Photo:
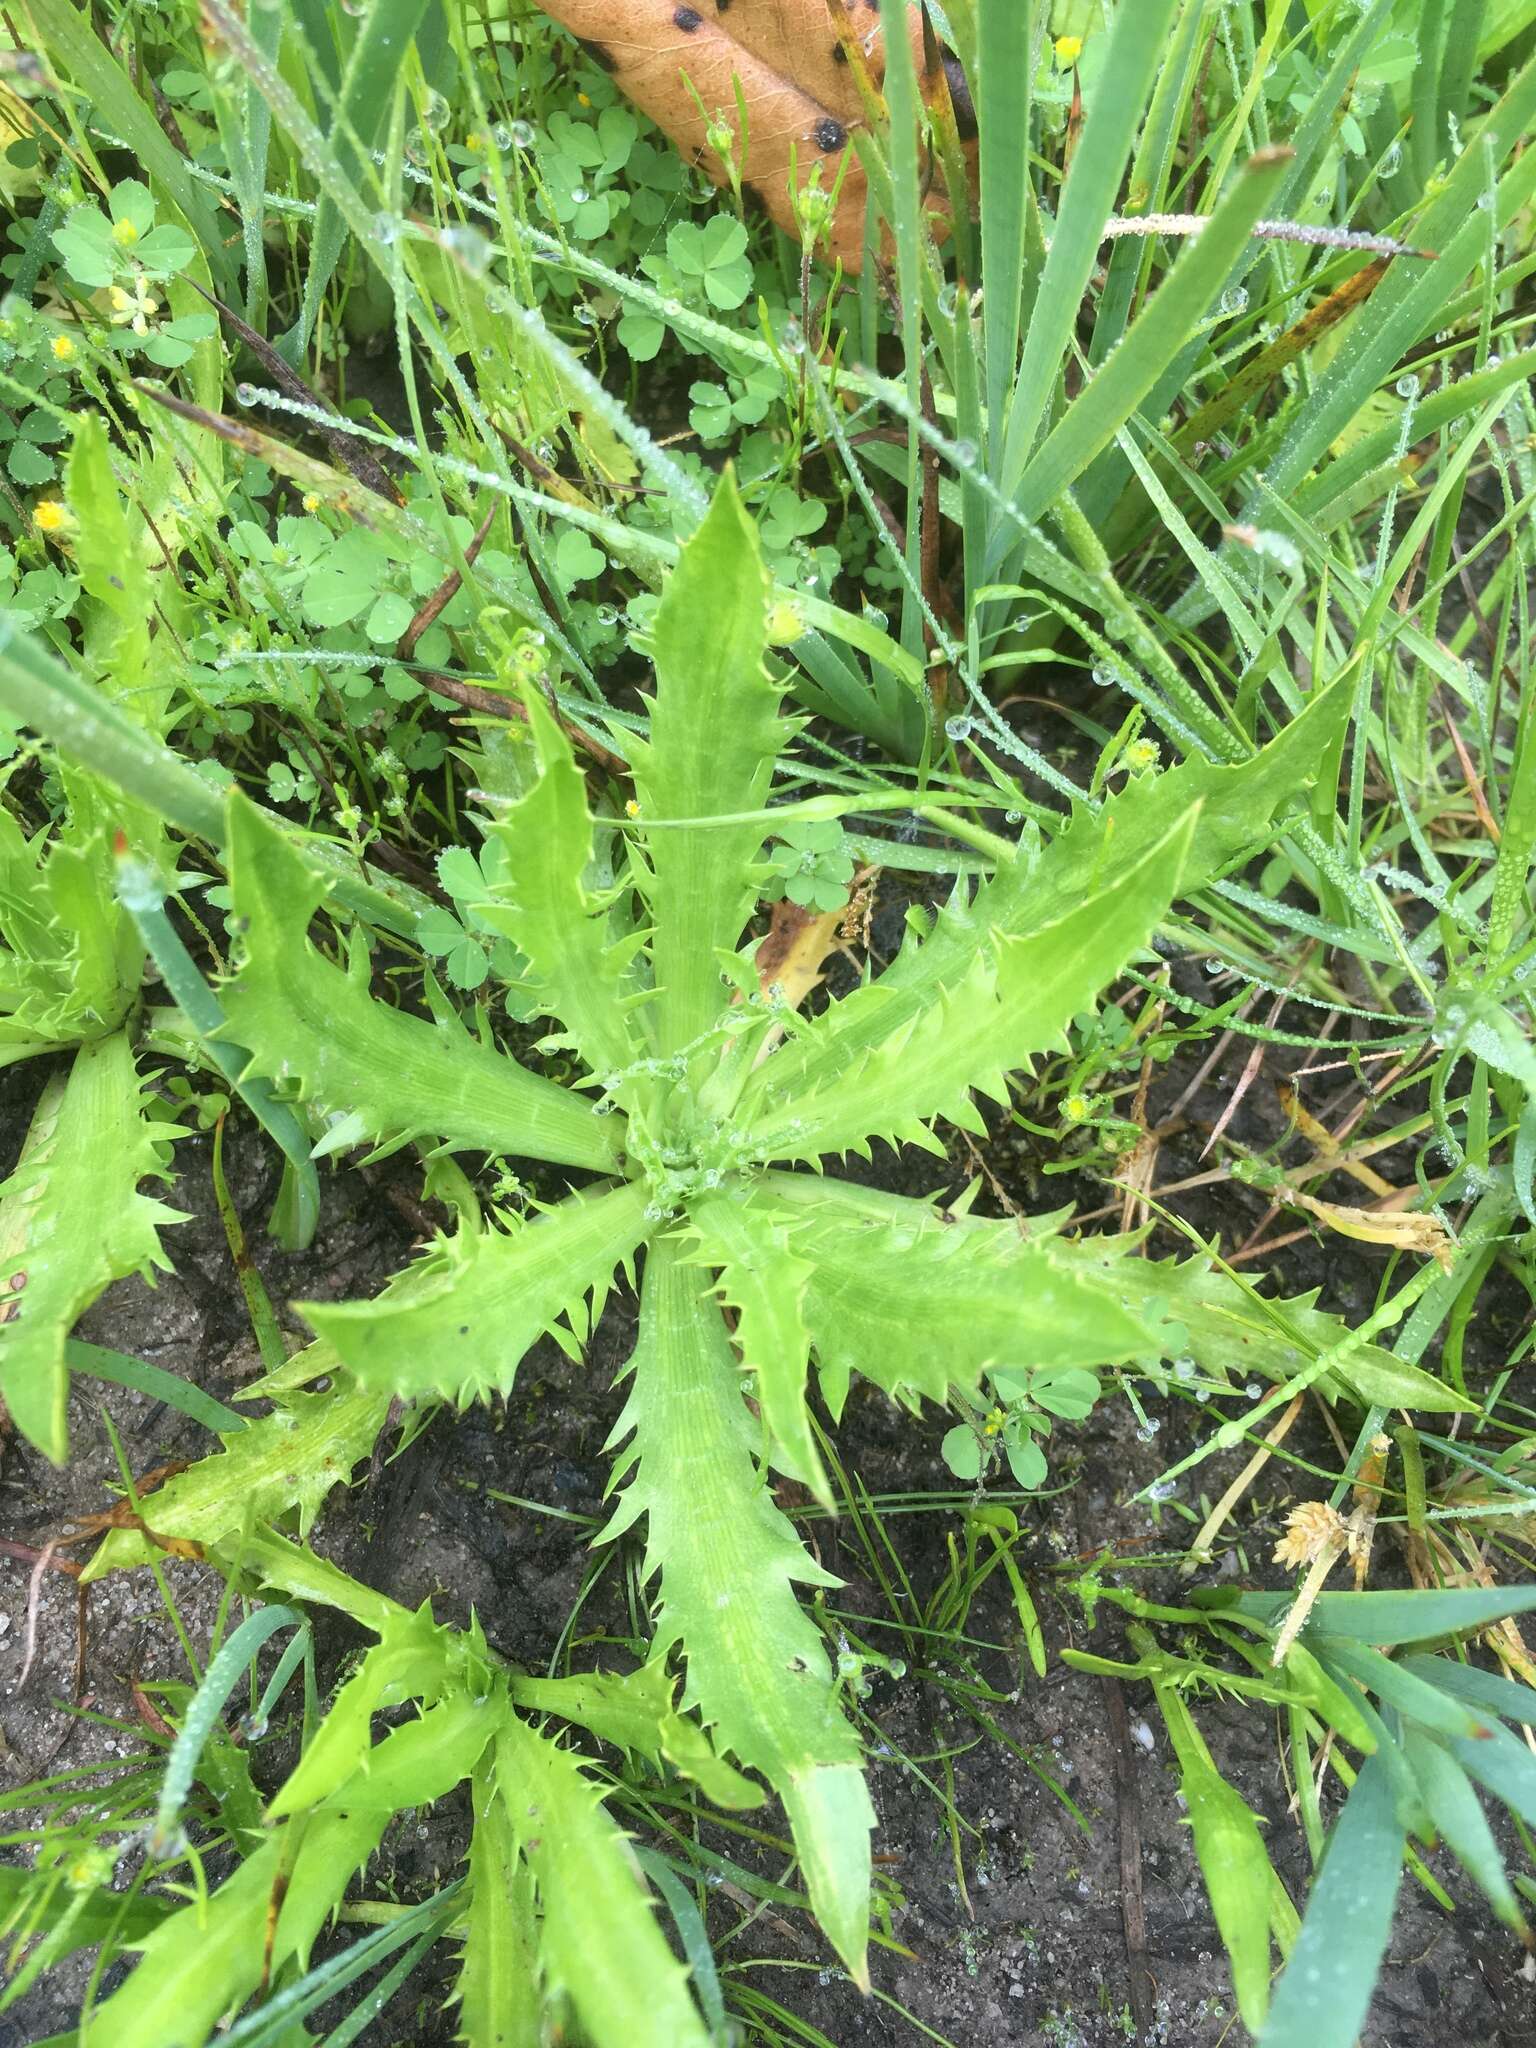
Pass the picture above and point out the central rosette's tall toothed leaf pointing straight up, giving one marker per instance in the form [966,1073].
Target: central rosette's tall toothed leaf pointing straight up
[716,734]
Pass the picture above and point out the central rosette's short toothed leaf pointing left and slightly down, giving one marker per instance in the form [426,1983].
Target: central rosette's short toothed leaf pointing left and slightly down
[486,1297]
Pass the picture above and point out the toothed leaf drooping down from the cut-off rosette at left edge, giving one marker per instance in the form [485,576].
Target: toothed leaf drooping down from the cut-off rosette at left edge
[71,1224]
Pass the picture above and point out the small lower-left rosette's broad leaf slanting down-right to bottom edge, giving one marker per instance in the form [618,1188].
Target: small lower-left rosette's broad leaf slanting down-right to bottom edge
[626,1986]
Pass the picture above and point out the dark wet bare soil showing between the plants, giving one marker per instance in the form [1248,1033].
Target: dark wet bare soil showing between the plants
[1066,1934]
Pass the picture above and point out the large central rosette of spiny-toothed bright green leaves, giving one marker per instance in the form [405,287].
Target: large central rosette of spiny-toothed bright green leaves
[689,1119]
